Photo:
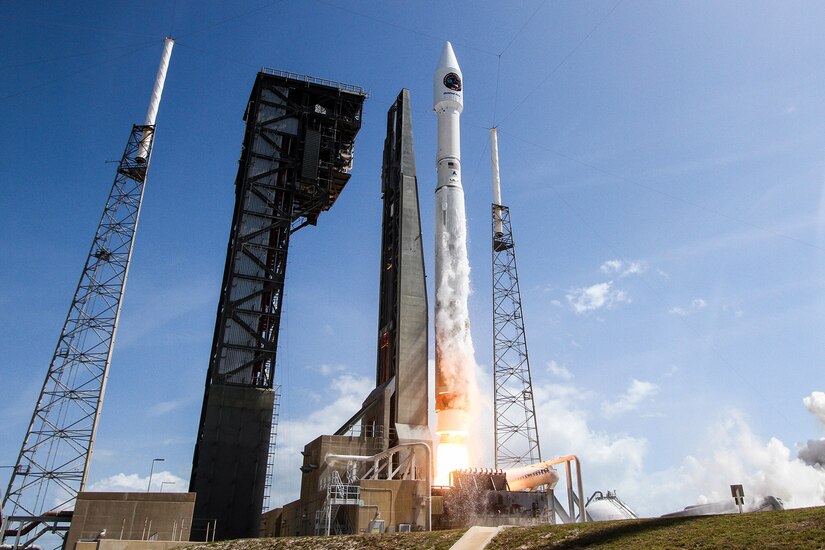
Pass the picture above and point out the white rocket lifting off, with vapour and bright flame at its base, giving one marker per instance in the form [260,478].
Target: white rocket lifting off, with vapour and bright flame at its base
[454,354]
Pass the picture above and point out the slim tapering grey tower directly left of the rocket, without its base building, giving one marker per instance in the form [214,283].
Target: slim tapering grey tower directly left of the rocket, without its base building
[401,376]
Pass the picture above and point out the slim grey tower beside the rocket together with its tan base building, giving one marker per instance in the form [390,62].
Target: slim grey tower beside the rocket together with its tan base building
[375,473]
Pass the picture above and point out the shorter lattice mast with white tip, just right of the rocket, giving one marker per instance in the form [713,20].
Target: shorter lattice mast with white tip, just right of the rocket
[516,433]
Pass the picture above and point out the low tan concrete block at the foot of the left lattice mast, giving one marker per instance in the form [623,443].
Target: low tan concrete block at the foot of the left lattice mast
[130,517]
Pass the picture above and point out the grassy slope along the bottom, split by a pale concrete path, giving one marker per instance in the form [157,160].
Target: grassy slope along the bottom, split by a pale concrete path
[803,528]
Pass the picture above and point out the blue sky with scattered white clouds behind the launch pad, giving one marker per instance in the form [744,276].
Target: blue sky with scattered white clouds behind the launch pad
[663,162]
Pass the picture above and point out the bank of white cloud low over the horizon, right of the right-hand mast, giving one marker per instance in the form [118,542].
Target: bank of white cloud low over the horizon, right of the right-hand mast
[730,453]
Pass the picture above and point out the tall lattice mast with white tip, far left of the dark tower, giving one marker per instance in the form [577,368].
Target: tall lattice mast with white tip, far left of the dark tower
[53,464]
